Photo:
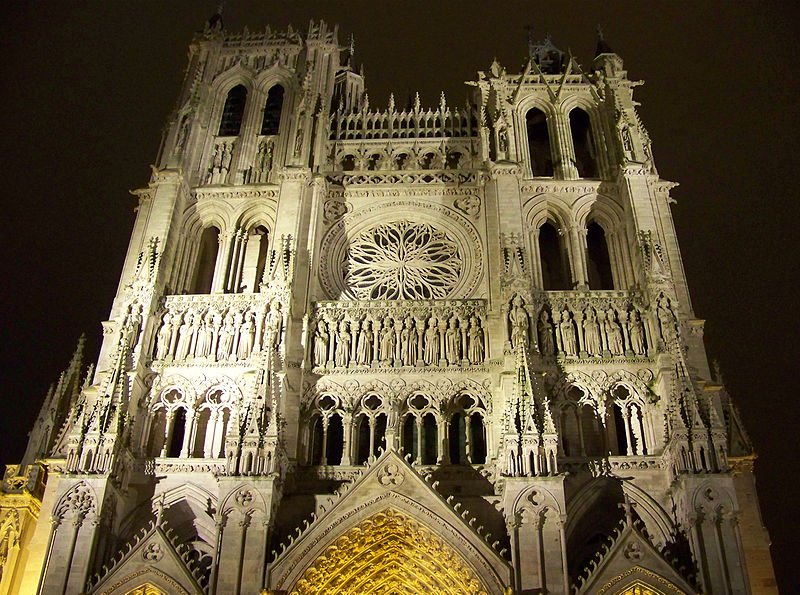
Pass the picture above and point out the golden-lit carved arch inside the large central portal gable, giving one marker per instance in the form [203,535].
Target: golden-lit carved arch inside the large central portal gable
[389,554]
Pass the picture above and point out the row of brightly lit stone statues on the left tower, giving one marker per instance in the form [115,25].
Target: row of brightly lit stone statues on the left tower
[217,333]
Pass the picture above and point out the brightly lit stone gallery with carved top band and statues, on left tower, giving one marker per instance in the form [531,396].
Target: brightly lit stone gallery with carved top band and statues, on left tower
[216,328]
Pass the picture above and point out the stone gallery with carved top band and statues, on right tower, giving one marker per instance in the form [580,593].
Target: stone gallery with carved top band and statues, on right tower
[591,324]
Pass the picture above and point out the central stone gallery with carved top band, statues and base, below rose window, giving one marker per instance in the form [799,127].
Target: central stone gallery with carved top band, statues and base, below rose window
[398,334]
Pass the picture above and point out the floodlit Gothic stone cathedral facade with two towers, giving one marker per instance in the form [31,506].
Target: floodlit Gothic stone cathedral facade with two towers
[398,349]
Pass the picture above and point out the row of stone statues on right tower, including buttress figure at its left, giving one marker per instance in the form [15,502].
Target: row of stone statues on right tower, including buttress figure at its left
[587,331]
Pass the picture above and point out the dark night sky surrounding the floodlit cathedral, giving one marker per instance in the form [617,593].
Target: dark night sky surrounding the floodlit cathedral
[87,87]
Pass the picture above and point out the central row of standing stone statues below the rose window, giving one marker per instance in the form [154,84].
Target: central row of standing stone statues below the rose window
[396,340]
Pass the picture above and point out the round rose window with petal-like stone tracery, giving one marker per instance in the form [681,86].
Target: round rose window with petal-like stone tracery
[402,261]
